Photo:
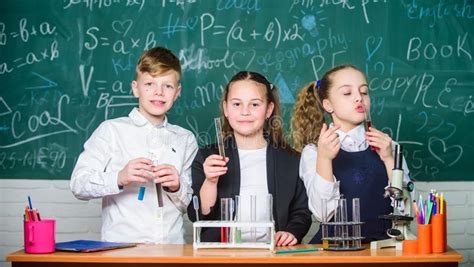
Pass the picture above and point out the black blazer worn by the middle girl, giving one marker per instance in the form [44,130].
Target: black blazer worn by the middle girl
[290,202]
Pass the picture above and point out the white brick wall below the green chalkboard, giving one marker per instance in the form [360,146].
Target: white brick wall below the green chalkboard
[77,219]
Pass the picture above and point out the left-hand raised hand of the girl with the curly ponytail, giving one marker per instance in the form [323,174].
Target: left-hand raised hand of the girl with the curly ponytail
[328,142]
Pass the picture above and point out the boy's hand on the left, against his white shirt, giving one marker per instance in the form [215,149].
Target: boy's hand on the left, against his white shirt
[136,171]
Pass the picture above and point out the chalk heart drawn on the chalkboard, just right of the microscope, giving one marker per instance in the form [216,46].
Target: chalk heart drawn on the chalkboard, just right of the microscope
[439,151]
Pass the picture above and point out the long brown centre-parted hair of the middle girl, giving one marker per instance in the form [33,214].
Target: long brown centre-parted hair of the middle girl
[273,129]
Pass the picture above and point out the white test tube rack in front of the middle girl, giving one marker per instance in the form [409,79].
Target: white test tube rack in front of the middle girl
[233,227]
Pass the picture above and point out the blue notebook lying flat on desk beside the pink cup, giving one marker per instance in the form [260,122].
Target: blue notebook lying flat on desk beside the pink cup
[90,245]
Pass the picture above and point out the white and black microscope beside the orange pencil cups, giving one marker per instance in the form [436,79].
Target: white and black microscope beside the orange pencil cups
[401,215]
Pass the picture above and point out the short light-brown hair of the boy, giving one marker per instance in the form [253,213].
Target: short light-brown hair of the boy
[157,61]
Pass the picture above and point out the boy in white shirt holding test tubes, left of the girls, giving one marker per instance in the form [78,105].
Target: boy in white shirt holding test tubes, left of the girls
[117,160]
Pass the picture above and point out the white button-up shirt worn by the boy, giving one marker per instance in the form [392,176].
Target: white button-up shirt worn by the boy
[124,218]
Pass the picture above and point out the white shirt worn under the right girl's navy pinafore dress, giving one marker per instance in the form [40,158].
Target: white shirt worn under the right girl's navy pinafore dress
[317,187]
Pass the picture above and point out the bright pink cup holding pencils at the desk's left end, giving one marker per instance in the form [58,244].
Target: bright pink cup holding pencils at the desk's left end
[39,236]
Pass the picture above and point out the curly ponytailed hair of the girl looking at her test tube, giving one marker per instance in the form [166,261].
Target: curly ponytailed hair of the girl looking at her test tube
[308,111]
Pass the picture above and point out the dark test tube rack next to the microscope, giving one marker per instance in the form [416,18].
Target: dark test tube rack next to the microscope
[347,243]
